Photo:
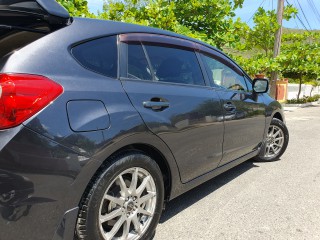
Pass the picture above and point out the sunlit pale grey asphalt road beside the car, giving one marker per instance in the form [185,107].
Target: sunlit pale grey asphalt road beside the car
[277,200]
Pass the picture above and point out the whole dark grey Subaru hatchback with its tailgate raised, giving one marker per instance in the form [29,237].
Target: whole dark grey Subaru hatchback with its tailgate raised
[102,123]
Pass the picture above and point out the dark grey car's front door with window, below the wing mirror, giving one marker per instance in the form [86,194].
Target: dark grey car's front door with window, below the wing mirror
[244,111]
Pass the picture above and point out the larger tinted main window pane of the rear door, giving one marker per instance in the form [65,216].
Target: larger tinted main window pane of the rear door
[175,65]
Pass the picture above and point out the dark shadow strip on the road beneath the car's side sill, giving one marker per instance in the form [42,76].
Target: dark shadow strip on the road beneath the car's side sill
[189,198]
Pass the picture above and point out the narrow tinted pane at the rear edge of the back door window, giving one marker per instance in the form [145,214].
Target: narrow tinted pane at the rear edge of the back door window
[138,67]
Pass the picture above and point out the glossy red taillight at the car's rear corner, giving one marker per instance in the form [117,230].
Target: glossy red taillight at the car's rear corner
[22,96]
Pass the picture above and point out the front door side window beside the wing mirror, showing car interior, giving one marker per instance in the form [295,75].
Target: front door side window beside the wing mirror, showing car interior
[223,76]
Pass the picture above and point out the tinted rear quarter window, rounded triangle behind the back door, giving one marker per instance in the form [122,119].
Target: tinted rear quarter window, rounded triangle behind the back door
[99,55]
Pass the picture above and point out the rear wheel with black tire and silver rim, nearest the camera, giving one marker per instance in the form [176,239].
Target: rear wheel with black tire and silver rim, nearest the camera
[115,206]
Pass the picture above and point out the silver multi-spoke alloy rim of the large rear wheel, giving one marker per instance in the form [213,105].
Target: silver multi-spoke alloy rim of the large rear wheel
[128,205]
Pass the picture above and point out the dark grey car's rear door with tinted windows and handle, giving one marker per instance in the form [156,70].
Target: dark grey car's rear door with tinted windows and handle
[164,82]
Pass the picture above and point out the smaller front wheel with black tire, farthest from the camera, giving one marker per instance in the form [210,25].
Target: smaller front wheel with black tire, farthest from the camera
[275,143]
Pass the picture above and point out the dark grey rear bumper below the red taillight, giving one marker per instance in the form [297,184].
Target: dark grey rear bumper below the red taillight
[38,186]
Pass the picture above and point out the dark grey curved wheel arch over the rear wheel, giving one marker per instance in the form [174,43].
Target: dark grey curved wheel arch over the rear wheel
[147,143]
